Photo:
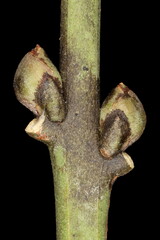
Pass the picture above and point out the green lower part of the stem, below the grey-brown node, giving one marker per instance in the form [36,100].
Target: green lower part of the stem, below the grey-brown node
[76,219]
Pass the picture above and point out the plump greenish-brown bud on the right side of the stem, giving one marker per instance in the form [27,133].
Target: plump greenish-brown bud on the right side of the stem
[122,121]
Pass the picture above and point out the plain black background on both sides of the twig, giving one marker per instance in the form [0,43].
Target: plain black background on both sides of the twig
[129,53]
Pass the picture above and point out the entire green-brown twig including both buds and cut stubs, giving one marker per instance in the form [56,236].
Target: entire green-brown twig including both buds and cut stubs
[86,143]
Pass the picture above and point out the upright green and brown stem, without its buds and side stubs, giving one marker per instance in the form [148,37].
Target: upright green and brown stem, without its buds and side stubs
[80,39]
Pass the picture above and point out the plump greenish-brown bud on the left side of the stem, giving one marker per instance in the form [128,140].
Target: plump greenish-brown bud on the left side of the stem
[38,85]
